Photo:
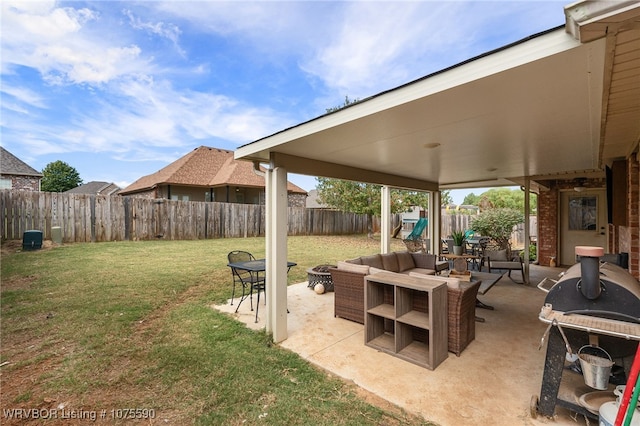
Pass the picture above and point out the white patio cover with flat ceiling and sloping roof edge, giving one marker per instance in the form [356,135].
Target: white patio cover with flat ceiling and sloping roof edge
[548,107]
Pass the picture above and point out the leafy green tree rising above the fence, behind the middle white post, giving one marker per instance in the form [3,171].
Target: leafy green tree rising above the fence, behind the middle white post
[364,198]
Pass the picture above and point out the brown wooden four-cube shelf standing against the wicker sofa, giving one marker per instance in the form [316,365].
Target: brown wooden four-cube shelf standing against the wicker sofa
[407,317]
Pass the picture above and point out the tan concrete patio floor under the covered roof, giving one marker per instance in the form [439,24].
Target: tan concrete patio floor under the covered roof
[492,382]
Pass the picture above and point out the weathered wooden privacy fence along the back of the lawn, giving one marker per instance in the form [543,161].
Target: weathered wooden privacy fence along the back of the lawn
[96,218]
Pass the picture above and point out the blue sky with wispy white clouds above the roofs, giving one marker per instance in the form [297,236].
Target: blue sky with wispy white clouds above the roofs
[119,90]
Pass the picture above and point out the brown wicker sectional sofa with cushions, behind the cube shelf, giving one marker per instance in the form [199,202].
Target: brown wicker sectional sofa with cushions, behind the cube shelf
[348,284]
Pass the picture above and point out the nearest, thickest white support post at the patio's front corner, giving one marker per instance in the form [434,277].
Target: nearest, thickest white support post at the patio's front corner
[276,211]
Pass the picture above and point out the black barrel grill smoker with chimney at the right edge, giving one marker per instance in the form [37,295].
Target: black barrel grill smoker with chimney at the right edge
[593,303]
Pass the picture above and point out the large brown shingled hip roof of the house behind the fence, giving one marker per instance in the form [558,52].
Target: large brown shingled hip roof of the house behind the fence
[205,167]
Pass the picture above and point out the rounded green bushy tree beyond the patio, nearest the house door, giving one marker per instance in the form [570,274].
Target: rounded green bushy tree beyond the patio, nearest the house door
[498,225]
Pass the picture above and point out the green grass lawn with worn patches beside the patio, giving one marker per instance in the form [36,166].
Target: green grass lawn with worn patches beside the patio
[123,325]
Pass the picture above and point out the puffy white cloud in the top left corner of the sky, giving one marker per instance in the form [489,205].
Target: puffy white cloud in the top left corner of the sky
[58,42]
